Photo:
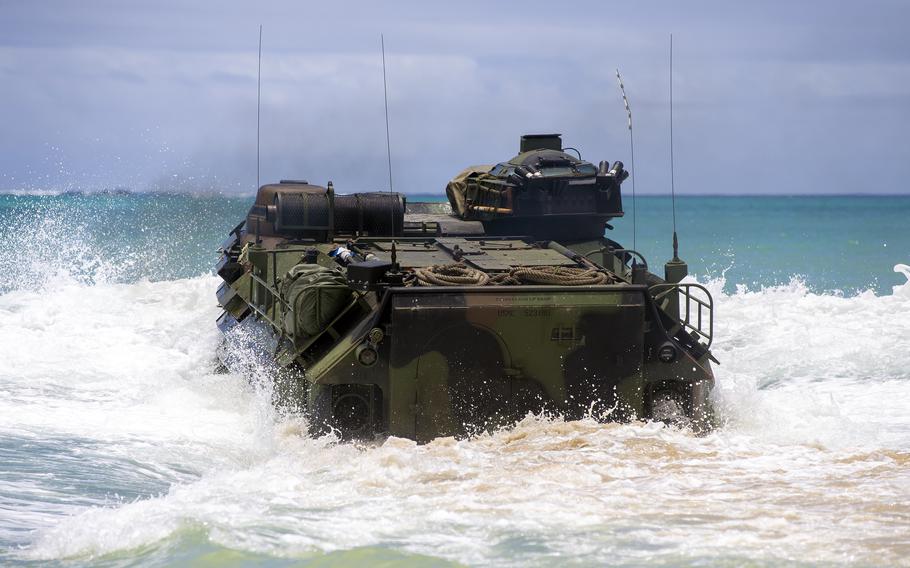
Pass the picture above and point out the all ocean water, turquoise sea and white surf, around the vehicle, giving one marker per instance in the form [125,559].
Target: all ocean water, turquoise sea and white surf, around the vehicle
[120,446]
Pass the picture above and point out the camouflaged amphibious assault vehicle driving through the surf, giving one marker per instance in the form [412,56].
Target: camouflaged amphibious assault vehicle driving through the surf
[421,320]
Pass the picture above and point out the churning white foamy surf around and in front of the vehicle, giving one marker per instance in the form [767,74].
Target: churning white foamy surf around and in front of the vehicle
[122,440]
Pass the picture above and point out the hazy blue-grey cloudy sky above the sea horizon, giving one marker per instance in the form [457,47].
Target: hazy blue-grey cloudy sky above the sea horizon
[769,97]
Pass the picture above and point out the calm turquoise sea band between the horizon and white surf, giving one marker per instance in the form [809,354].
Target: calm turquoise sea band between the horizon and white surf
[831,244]
